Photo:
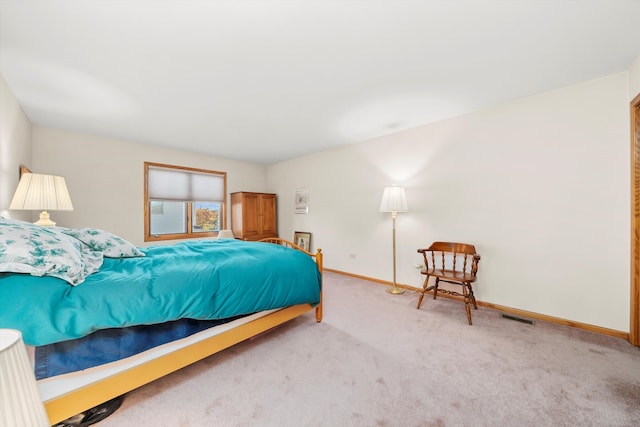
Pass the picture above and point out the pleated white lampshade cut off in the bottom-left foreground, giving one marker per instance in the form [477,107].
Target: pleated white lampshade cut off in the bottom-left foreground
[20,401]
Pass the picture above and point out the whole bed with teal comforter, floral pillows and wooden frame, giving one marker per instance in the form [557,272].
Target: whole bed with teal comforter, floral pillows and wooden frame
[69,291]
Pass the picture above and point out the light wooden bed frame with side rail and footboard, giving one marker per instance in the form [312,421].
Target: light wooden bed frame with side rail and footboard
[67,405]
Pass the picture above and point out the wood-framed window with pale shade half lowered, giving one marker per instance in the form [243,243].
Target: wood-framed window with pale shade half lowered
[183,203]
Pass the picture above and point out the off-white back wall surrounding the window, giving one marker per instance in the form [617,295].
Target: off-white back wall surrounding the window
[105,177]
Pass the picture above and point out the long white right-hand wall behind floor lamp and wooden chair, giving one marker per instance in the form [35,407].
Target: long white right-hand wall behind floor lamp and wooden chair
[540,186]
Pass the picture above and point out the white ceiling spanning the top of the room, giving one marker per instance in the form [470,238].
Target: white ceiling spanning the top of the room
[265,81]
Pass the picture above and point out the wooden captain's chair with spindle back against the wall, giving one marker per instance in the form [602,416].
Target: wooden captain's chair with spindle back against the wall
[450,262]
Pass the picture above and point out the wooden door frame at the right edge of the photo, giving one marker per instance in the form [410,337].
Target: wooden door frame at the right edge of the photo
[634,327]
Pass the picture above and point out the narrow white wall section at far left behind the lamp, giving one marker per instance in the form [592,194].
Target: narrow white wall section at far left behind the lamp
[15,148]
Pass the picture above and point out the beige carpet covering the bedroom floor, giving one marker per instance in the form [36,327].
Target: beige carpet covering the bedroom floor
[377,361]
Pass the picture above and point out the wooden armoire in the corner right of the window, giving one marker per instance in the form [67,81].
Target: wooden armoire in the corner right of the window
[253,215]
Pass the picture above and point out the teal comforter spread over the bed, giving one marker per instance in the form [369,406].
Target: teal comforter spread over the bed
[202,280]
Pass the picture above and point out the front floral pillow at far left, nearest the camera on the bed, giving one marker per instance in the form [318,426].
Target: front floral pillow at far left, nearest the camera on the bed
[45,251]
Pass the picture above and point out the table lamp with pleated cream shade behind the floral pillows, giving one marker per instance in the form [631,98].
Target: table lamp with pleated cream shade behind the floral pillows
[41,192]
